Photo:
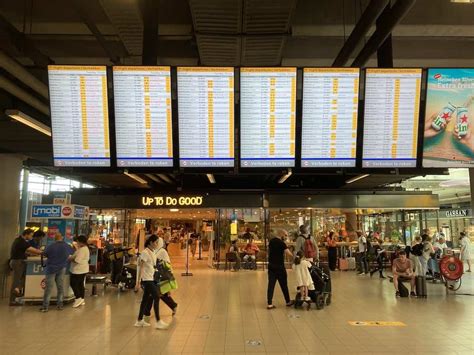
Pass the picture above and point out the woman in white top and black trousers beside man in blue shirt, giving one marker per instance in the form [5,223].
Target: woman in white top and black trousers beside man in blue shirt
[79,269]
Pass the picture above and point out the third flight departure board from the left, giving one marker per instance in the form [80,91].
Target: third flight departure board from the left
[206,116]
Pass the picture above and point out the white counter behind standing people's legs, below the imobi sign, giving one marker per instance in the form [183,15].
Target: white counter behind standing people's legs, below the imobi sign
[35,282]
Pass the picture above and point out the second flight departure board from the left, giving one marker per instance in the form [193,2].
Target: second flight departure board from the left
[143,126]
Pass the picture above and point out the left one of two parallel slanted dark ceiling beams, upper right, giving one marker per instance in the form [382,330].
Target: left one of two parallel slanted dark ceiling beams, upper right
[367,19]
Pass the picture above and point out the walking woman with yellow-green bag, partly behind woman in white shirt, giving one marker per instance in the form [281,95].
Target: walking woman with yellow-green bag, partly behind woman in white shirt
[167,281]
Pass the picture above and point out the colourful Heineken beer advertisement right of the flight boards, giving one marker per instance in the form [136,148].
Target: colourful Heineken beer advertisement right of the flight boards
[449,140]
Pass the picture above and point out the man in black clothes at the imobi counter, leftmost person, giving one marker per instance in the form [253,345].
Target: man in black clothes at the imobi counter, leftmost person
[18,253]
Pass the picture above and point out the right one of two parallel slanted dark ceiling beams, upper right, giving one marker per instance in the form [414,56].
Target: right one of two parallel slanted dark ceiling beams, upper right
[396,14]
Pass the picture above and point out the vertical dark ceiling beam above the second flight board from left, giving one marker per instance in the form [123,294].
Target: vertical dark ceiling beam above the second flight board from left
[150,11]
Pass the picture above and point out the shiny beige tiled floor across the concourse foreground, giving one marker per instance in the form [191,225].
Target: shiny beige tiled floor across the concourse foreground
[235,306]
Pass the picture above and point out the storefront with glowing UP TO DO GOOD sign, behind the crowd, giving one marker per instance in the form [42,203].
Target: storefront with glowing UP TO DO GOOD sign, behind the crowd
[220,218]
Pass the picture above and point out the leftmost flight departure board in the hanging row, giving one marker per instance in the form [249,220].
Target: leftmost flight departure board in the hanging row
[79,115]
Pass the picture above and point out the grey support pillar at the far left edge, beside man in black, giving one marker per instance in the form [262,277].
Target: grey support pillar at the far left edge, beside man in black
[10,169]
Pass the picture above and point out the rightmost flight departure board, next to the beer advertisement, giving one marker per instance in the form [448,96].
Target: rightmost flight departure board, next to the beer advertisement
[391,114]
